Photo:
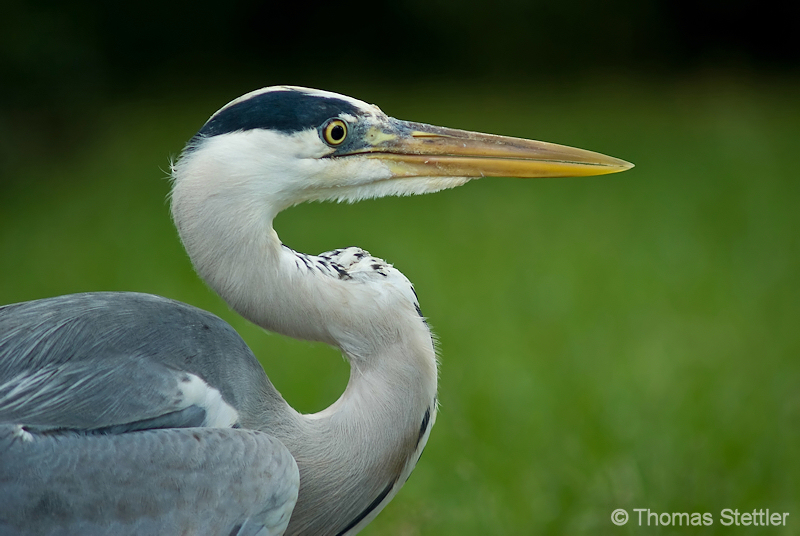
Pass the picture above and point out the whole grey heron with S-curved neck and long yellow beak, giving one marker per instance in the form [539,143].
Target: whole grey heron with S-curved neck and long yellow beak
[127,413]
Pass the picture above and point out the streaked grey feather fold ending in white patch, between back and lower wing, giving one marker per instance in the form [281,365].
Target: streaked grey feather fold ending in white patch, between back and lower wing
[112,394]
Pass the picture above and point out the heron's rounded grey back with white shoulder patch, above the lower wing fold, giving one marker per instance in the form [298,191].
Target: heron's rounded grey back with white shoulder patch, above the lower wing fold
[92,361]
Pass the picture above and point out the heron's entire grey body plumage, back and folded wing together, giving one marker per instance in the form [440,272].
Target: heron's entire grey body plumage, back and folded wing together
[101,400]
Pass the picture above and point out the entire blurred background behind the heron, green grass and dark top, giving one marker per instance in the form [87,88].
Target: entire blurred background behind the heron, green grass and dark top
[627,341]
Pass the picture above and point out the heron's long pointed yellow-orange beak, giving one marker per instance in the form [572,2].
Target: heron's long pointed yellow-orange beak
[420,150]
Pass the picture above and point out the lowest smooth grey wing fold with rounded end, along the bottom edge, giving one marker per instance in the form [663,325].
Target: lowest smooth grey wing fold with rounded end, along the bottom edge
[203,481]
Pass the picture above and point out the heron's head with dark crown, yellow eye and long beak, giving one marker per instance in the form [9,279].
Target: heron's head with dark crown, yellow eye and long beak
[293,144]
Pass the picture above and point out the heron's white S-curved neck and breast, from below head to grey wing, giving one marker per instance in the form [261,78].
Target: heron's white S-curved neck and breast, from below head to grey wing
[356,454]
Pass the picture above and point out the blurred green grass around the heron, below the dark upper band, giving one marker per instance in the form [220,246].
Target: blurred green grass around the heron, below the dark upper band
[623,341]
